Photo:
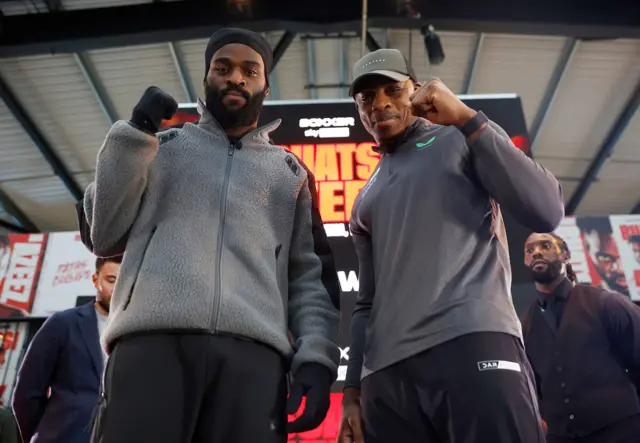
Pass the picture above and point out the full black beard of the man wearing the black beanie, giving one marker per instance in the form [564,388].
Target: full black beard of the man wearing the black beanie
[230,118]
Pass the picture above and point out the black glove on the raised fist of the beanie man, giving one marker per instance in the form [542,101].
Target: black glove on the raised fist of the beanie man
[154,106]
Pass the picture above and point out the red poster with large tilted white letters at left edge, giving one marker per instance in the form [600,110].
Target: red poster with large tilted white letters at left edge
[20,263]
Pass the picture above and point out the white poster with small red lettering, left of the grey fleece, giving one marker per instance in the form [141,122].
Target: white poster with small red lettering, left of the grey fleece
[66,274]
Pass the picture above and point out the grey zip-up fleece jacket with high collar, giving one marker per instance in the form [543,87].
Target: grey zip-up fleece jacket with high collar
[218,239]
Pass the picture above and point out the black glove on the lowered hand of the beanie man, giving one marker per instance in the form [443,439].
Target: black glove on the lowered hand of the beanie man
[313,381]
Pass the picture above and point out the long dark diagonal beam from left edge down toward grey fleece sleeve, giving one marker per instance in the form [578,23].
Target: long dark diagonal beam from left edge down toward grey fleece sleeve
[38,139]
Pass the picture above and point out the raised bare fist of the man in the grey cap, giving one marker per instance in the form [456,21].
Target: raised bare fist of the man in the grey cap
[438,104]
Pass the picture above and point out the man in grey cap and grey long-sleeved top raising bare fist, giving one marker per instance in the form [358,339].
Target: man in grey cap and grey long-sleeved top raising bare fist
[436,347]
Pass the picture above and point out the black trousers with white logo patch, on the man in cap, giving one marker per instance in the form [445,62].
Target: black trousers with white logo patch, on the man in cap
[477,388]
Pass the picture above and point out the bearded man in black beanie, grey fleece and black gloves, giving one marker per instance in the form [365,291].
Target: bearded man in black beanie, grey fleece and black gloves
[227,285]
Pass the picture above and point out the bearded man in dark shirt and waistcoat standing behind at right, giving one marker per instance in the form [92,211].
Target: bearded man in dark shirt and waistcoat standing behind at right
[584,345]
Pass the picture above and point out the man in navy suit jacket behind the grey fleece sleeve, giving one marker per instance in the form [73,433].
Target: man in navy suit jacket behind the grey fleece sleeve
[59,381]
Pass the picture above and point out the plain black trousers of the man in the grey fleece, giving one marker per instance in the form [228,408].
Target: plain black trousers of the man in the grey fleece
[187,388]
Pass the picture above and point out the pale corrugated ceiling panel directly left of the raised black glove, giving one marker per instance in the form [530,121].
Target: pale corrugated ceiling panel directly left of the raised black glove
[58,99]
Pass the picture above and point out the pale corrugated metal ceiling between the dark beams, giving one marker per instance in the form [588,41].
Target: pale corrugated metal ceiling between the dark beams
[53,90]
